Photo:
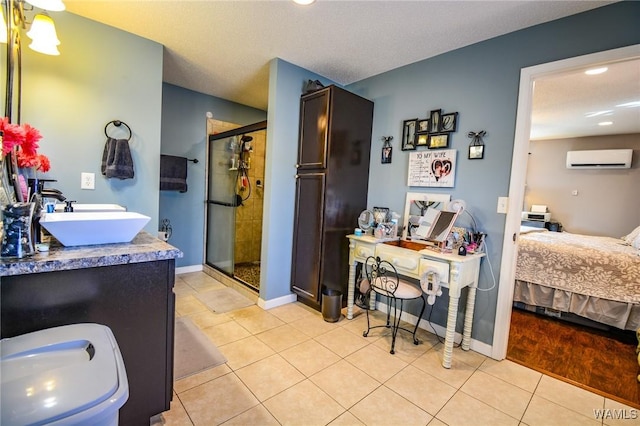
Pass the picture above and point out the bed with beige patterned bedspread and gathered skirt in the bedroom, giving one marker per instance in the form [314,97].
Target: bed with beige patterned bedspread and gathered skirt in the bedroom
[593,277]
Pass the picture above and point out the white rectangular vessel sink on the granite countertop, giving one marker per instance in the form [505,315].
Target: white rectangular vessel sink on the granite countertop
[86,228]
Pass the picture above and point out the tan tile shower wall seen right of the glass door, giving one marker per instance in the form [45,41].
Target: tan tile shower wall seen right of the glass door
[249,216]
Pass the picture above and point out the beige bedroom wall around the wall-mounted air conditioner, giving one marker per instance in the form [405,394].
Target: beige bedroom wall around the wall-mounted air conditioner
[607,202]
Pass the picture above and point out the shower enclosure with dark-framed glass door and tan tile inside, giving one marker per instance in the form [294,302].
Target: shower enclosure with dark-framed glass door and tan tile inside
[235,185]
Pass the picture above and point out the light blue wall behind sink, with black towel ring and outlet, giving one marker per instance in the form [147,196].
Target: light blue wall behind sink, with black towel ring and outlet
[102,74]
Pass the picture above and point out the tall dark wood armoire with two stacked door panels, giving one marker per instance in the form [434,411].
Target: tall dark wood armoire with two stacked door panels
[331,189]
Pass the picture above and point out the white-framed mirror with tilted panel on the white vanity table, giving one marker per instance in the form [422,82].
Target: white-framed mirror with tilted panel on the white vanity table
[426,219]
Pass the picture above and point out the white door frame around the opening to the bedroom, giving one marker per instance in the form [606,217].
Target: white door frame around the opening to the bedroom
[518,178]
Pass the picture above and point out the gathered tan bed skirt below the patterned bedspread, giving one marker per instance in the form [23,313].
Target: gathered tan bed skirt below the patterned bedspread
[625,316]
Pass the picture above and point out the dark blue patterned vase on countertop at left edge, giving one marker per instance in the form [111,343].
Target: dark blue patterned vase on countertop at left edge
[17,238]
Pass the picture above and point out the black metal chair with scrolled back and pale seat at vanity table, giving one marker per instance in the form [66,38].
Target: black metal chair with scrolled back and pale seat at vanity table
[382,277]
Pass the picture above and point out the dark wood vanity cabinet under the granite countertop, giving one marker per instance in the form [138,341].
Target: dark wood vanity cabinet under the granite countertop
[135,301]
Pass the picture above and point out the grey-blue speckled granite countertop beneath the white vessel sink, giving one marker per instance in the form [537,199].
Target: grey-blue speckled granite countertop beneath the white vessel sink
[143,248]
